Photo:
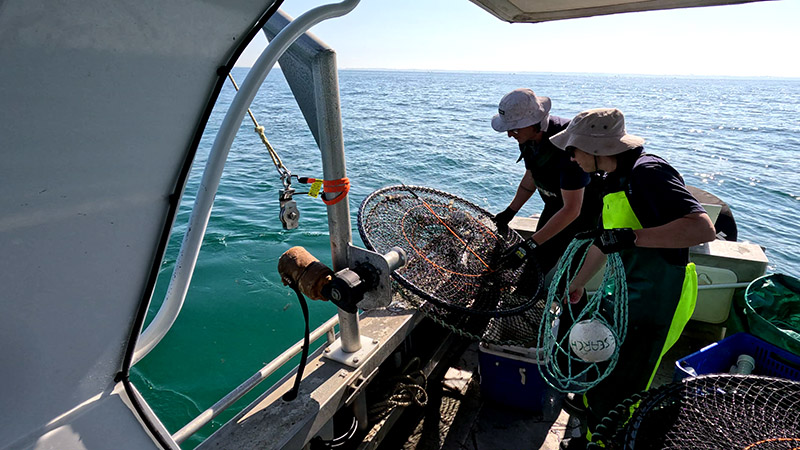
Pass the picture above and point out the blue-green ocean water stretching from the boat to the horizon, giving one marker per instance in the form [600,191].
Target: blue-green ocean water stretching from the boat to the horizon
[736,138]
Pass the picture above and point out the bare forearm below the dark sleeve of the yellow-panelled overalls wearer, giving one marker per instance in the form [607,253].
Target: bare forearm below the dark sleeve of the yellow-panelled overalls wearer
[689,230]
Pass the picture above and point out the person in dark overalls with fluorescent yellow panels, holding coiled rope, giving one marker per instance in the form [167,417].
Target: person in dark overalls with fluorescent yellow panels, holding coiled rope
[651,219]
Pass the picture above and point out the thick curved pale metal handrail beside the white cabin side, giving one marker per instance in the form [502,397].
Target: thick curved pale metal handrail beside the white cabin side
[201,212]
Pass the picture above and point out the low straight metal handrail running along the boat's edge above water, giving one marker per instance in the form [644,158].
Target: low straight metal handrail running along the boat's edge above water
[209,414]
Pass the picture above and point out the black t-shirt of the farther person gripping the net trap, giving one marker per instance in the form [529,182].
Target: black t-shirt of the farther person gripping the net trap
[550,166]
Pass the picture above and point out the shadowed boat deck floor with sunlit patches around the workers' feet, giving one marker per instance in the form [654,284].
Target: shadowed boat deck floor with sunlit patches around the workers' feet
[466,421]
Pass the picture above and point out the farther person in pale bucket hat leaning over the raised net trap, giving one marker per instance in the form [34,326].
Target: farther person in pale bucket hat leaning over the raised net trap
[570,205]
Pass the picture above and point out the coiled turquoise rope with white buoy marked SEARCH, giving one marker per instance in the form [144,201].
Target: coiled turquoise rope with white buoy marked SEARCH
[578,358]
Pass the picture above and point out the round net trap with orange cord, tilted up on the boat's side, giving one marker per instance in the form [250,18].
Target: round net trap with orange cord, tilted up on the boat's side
[456,262]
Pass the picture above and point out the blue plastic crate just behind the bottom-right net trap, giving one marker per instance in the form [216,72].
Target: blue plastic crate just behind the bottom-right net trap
[720,356]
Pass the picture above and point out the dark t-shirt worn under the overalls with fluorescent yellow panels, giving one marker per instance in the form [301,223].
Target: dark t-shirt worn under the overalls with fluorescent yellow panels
[657,194]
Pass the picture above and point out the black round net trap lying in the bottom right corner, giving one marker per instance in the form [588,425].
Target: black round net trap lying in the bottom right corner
[710,412]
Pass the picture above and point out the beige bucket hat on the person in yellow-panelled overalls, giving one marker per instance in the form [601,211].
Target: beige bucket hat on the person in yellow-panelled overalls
[598,132]
